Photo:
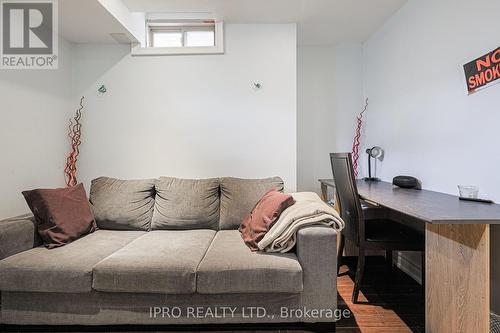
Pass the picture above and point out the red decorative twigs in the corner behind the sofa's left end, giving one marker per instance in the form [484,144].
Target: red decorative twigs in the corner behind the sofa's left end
[74,134]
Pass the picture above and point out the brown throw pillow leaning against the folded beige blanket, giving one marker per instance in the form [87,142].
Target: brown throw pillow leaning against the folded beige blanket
[265,213]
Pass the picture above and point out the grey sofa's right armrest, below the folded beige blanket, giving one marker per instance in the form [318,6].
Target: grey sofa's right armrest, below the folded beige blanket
[317,254]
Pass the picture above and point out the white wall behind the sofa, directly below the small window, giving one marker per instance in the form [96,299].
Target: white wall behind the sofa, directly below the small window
[192,116]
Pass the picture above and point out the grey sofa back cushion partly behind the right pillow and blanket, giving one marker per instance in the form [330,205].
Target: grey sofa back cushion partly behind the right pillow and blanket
[239,197]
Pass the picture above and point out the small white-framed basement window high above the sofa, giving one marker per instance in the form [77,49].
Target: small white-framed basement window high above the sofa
[182,37]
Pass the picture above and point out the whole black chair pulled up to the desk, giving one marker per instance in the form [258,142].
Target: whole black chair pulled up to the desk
[365,231]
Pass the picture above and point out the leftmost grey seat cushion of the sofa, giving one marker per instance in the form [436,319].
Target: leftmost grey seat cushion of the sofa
[66,269]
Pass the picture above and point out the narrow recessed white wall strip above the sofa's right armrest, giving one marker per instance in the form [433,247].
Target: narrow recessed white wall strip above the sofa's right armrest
[315,114]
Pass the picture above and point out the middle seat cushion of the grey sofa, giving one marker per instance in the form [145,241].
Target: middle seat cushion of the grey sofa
[163,261]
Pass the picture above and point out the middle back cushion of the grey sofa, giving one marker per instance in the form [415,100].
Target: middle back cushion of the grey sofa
[186,204]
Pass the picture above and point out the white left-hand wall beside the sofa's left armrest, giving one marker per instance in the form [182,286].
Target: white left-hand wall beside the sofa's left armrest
[35,107]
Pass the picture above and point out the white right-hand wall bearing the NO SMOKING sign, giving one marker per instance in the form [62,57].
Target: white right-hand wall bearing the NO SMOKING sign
[420,112]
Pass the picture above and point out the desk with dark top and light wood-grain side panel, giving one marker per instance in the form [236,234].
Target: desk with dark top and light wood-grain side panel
[457,237]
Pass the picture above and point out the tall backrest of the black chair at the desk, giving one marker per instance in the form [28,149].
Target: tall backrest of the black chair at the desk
[347,192]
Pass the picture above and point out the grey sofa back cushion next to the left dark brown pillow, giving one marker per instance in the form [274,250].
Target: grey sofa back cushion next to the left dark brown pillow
[122,204]
